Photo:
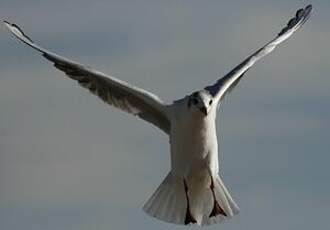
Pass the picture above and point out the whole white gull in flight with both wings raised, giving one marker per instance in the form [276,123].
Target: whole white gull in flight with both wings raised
[192,192]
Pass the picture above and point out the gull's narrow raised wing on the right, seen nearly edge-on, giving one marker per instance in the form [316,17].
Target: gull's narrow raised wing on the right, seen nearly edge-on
[229,81]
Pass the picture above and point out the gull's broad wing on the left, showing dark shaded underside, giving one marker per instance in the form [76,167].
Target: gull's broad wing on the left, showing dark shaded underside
[111,90]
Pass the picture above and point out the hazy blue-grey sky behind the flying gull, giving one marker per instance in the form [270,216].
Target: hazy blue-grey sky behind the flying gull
[68,161]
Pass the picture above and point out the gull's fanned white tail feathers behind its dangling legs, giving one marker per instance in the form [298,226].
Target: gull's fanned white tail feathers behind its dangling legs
[169,202]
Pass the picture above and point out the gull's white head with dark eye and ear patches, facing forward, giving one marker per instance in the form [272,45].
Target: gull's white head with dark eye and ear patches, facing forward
[200,101]
